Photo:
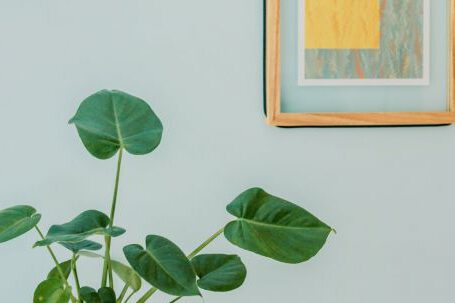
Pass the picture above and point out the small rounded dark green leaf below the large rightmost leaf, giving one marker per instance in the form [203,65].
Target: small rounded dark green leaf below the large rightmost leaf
[219,272]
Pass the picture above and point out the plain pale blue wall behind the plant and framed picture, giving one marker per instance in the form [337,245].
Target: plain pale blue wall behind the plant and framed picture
[388,191]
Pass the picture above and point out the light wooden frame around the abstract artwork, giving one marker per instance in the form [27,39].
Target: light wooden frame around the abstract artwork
[272,83]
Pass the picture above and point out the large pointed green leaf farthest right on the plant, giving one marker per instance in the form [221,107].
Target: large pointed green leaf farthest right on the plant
[275,228]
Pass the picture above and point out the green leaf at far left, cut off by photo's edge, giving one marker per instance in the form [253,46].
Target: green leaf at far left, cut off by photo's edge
[16,221]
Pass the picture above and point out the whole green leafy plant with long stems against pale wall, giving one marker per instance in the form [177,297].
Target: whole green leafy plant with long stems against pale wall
[110,123]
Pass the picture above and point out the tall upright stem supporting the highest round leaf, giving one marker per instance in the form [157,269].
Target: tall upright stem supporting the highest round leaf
[107,257]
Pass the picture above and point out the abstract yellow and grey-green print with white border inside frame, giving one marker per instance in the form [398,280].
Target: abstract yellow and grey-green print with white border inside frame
[364,42]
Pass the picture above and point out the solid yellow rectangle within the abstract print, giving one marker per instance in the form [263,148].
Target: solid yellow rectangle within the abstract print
[342,24]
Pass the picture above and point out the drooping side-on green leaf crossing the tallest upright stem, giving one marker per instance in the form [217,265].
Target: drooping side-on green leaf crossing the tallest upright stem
[91,222]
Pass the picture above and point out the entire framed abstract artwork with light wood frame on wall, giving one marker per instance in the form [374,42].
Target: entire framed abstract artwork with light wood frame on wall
[359,62]
